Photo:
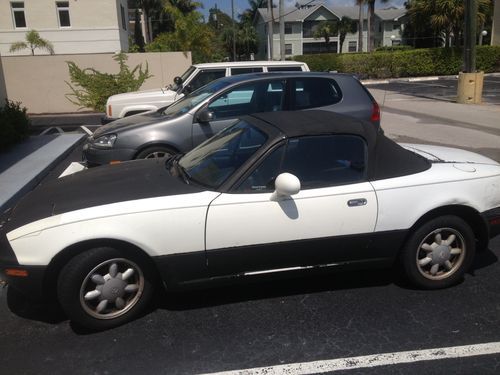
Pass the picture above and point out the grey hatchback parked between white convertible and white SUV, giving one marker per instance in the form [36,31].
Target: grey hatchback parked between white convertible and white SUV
[204,112]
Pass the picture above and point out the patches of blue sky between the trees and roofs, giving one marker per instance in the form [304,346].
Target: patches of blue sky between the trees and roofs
[241,5]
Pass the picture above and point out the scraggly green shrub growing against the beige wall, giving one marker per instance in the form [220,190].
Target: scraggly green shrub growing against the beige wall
[91,88]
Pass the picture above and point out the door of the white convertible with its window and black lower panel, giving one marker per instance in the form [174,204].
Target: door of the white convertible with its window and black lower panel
[330,220]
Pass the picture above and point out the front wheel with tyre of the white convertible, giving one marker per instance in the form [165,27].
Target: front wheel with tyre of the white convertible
[103,288]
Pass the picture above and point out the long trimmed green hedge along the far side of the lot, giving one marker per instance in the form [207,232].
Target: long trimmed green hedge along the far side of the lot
[403,63]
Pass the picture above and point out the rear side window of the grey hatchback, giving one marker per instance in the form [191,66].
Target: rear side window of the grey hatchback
[314,92]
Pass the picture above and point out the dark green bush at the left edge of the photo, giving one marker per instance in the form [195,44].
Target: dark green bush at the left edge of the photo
[14,124]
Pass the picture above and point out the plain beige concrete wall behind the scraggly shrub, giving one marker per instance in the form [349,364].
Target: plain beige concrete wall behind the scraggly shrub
[39,82]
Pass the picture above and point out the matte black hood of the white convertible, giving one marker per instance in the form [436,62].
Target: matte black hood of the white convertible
[126,181]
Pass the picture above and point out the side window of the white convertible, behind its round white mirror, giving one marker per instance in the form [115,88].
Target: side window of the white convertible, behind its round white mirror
[318,161]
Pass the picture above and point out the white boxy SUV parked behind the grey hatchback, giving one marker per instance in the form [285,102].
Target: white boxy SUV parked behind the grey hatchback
[198,75]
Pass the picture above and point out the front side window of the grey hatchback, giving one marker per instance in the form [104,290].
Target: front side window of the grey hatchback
[260,96]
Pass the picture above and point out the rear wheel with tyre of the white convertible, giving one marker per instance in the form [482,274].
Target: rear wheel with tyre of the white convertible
[438,253]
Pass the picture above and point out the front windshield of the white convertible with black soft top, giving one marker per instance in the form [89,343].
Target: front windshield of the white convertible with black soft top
[212,162]
